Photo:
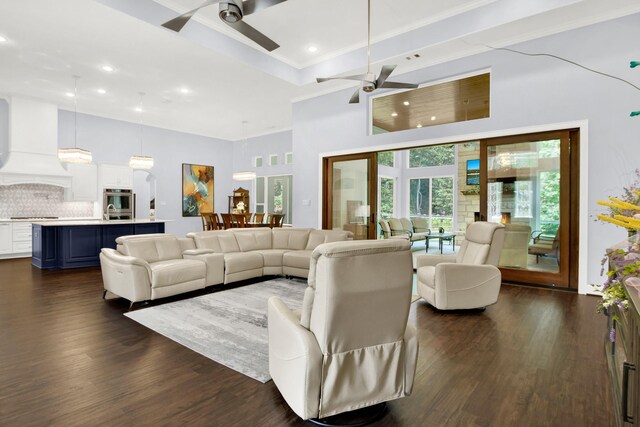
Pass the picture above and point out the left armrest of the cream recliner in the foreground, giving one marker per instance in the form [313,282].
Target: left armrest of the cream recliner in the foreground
[295,360]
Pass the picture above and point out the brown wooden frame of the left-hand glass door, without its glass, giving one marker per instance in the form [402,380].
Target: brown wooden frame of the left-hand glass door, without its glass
[327,188]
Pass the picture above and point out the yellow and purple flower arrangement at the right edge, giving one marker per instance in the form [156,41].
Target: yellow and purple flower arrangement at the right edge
[623,263]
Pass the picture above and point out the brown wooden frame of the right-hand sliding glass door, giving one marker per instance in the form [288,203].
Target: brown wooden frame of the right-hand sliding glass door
[568,235]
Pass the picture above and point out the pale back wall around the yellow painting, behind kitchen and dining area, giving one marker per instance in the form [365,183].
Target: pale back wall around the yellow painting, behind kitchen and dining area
[114,141]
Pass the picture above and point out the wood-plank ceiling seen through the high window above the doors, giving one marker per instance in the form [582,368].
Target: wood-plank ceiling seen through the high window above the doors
[455,101]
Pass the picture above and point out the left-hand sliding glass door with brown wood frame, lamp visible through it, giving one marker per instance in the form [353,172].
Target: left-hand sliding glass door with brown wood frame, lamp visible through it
[350,194]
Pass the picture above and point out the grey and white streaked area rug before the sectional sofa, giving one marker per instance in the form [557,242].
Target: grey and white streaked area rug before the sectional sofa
[229,326]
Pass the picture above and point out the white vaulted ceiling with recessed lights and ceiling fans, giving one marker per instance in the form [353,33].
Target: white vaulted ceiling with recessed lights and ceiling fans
[229,78]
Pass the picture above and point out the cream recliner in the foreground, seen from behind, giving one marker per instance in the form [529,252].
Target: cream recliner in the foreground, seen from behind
[351,347]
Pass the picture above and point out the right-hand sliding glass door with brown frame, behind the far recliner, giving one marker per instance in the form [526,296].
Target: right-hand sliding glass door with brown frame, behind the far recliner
[526,185]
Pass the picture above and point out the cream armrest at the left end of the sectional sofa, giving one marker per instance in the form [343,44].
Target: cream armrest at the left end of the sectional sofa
[126,276]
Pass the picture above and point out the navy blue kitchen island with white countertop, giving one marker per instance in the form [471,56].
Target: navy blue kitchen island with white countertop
[72,244]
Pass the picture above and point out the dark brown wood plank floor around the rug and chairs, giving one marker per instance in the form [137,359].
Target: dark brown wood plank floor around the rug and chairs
[69,358]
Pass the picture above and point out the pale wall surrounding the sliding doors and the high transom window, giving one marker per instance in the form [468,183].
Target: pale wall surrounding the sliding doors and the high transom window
[526,92]
